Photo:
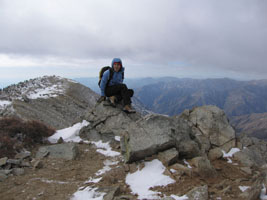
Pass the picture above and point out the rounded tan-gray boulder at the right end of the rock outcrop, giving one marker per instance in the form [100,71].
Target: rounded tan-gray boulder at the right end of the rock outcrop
[213,128]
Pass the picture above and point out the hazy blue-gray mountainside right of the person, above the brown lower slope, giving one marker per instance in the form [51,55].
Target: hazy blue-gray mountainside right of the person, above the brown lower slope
[235,97]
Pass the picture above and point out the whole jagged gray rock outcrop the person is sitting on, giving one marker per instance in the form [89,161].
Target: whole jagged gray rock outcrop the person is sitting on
[192,135]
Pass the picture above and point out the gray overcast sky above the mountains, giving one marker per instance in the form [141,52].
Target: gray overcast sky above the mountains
[182,38]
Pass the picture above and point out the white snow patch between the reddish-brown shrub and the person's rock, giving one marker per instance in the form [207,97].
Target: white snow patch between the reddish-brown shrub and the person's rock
[70,134]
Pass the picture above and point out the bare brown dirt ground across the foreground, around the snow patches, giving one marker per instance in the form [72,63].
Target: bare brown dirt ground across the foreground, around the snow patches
[60,179]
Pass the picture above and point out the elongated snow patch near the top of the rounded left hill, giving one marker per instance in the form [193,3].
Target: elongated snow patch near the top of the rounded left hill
[47,92]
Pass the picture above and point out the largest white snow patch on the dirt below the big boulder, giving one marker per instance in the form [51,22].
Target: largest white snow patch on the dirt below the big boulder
[150,176]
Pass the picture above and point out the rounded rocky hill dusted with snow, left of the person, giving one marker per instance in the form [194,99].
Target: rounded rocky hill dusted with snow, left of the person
[55,101]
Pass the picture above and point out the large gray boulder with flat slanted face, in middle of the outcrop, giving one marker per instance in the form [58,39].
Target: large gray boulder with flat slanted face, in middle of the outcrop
[148,136]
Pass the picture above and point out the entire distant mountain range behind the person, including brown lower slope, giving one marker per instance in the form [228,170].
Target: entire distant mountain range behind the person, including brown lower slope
[244,102]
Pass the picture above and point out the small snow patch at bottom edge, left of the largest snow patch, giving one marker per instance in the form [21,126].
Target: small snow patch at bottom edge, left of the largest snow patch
[88,193]
